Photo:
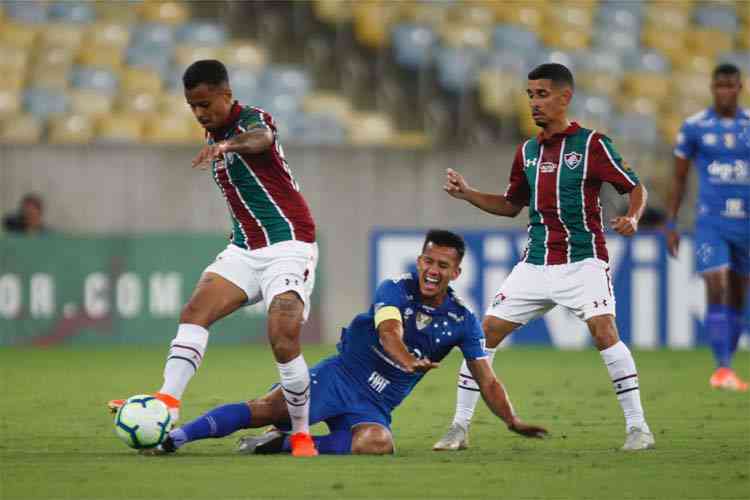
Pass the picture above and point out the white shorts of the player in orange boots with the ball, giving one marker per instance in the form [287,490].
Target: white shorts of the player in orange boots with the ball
[266,272]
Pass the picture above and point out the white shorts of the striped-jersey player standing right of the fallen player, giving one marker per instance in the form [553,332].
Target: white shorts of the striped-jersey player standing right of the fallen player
[584,288]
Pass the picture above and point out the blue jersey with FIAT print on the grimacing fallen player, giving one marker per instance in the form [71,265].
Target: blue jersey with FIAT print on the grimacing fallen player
[428,333]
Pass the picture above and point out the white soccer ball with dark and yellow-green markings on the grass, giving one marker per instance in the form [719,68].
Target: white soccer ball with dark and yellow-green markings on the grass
[143,421]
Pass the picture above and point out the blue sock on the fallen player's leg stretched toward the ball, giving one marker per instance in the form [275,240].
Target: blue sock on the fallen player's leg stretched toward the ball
[219,422]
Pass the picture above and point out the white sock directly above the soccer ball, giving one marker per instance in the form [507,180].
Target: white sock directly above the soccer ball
[185,356]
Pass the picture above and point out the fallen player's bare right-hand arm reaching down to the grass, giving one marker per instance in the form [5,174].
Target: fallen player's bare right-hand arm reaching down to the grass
[497,400]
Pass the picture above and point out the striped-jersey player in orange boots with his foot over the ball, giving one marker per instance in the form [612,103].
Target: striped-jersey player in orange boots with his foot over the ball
[272,251]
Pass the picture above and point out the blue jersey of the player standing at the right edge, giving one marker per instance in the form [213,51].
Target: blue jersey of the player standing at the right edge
[720,150]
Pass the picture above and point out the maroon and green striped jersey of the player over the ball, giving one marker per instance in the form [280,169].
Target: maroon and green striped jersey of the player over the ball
[264,200]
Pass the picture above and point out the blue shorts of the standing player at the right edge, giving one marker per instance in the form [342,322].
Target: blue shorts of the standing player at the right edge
[721,244]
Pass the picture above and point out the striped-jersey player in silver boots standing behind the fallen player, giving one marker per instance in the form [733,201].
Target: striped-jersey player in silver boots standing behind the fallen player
[558,175]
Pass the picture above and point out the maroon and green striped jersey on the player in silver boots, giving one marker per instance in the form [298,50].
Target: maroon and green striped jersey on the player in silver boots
[559,179]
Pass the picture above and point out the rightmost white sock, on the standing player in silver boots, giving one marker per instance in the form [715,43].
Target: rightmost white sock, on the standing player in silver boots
[624,378]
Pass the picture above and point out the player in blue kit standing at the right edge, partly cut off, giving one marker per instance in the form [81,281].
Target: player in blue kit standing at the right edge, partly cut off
[717,140]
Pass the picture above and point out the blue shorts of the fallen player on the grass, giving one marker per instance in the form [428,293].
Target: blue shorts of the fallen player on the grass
[336,399]
